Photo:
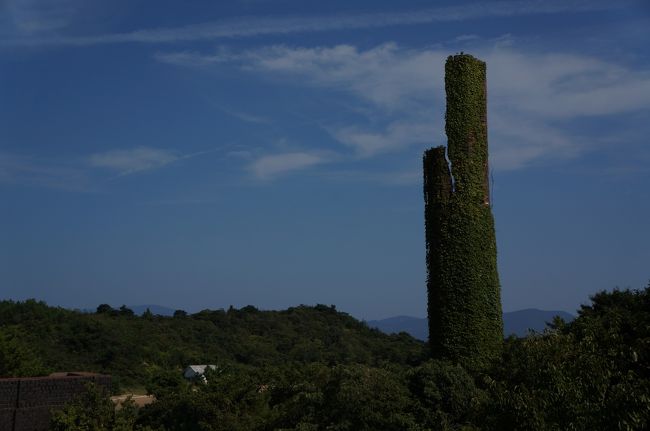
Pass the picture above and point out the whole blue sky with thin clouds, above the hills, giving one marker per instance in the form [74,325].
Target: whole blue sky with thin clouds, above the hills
[205,154]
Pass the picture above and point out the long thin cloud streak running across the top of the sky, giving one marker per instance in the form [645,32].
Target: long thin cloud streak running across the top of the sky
[258,26]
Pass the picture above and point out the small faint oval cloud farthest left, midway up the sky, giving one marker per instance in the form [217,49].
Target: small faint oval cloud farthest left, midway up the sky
[138,159]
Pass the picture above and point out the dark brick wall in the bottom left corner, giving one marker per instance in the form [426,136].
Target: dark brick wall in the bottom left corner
[25,403]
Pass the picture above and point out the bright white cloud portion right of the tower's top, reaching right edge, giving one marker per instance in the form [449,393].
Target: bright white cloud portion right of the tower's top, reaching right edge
[562,86]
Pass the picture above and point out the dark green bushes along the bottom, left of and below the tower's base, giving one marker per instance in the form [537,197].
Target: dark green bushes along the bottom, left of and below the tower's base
[434,396]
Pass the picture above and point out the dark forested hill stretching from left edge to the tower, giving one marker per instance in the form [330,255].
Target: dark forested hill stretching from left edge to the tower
[37,339]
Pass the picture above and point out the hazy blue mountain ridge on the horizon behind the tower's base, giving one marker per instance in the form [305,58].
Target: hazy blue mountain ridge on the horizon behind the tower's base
[514,322]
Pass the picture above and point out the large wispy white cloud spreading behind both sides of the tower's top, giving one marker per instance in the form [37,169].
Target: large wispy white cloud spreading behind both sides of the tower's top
[532,95]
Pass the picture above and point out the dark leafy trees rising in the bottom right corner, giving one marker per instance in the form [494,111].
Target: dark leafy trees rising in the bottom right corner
[591,374]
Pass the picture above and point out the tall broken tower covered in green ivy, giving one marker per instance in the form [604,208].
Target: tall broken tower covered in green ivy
[464,300]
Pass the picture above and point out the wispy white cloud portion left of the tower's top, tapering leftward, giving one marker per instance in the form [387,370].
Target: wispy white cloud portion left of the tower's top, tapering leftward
[387,77]
